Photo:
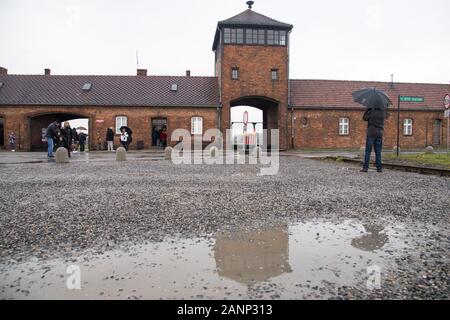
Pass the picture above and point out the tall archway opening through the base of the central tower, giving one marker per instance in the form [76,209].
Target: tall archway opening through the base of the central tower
[266,119]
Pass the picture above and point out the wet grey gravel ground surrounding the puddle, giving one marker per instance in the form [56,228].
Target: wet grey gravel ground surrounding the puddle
[49,210]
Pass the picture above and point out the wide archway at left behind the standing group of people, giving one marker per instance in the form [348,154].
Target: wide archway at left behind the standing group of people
[39,124]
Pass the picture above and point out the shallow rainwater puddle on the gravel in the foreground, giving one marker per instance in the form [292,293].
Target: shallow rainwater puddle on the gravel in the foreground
[305,260]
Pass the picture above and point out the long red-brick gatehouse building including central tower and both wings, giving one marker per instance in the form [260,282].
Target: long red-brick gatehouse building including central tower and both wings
[251,68]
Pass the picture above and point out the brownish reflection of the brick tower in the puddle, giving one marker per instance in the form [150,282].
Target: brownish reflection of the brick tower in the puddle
[253,256]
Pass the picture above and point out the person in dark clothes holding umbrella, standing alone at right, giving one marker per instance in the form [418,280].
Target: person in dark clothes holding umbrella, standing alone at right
[376,102]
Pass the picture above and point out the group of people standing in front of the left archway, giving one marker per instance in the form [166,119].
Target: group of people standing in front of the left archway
[64,136]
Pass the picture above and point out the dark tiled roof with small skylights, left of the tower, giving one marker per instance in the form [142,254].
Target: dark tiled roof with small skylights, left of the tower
[109,90]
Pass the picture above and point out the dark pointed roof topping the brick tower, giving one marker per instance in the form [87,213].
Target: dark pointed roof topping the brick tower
[249,18]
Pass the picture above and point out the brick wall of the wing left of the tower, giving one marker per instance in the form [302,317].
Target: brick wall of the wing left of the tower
[22,120]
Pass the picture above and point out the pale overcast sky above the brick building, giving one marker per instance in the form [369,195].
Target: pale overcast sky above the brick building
[348,39]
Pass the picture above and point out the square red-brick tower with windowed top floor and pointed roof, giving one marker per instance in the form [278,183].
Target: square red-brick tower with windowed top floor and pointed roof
[252,65]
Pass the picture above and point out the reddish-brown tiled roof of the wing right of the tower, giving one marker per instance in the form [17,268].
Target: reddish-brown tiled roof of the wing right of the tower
[338,93]
